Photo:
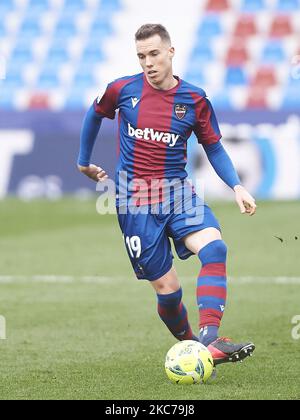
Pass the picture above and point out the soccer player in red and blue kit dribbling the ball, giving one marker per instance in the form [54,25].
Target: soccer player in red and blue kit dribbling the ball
[157,114]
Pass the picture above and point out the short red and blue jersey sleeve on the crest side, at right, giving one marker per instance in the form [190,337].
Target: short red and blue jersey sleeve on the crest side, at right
[206,126]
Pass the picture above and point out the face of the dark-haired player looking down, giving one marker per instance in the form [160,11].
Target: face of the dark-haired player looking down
[155,56]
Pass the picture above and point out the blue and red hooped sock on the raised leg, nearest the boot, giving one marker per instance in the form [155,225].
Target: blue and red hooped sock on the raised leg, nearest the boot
[211,290]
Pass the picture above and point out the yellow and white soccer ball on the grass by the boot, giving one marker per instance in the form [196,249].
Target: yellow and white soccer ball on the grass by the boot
[189,362]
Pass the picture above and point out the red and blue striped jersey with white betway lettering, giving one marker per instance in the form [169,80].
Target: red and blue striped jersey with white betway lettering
[154,126]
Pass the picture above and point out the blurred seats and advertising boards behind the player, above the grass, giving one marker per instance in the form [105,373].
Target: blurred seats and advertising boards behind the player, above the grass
[57,56]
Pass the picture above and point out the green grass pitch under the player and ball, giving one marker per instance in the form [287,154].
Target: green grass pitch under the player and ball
[79,326]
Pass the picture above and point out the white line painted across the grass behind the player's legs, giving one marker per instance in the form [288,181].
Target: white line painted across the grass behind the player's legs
[48,279]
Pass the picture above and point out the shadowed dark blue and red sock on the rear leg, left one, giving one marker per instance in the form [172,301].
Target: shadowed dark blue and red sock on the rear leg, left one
[174,314]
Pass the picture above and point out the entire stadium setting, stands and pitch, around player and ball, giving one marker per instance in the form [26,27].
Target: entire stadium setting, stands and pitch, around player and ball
[78,324]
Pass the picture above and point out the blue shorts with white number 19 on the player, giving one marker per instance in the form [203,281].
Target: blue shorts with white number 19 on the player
[147,235]
